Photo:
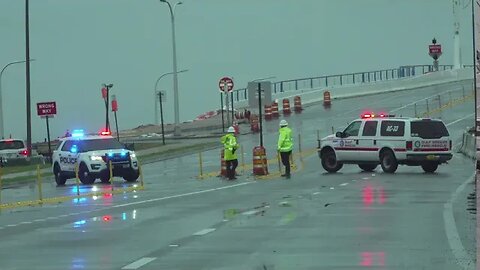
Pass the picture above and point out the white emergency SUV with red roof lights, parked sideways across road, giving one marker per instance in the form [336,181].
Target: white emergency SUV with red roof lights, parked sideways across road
[389,141]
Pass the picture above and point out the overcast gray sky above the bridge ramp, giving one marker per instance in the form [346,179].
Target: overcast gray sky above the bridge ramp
[80,44]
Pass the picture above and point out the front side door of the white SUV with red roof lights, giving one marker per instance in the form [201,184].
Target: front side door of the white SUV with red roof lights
[347,147]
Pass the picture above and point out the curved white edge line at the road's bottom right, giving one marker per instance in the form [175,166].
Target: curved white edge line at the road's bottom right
[458,250]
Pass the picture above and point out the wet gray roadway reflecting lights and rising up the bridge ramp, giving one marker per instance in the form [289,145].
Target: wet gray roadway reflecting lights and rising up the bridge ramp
[348,220]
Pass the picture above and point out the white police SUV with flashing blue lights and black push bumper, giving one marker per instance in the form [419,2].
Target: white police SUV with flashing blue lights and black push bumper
[93,154]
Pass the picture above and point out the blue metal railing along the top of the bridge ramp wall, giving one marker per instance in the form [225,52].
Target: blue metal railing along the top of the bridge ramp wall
[345,79]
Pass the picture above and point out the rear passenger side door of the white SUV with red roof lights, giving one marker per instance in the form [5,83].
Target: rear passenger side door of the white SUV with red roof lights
[367,142]
